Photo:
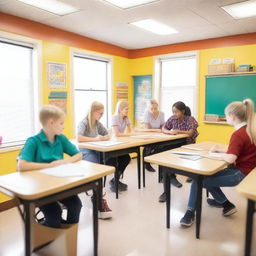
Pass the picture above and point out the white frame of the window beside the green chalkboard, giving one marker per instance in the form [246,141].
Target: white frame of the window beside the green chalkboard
[158,75]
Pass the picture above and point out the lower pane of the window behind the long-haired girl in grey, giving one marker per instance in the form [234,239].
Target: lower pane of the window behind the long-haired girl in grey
[83,99]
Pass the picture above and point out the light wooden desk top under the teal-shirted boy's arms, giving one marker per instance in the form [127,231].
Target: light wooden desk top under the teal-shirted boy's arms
[35,184]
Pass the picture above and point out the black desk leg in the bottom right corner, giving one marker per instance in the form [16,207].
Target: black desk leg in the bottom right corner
[249,225]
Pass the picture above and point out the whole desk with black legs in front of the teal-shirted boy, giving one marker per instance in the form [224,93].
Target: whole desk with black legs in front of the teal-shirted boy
[34,188]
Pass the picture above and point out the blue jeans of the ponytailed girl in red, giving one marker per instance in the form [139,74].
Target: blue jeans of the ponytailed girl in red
[225,178]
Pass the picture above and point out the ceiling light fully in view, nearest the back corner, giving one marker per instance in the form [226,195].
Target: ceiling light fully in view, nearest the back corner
[154,27]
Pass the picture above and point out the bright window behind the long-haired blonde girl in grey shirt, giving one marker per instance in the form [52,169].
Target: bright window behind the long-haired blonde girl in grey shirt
[91,83]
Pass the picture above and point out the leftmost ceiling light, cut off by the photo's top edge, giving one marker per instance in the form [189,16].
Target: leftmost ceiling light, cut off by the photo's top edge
[52,6]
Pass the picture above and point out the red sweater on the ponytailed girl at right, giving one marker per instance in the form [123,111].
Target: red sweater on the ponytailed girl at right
[241,146]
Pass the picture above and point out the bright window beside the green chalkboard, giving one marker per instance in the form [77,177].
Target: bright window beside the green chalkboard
[178,81]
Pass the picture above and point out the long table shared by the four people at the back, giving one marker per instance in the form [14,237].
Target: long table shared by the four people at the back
[133,144]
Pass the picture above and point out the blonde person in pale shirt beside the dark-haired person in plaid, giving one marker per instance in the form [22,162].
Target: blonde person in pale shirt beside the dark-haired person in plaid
[153,121]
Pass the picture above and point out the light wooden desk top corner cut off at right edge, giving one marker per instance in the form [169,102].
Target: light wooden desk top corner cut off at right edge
[247,186]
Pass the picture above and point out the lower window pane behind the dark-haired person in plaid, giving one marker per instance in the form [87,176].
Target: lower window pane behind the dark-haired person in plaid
[170,95]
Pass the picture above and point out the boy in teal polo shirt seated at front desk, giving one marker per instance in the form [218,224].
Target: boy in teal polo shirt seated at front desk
[46,150]
